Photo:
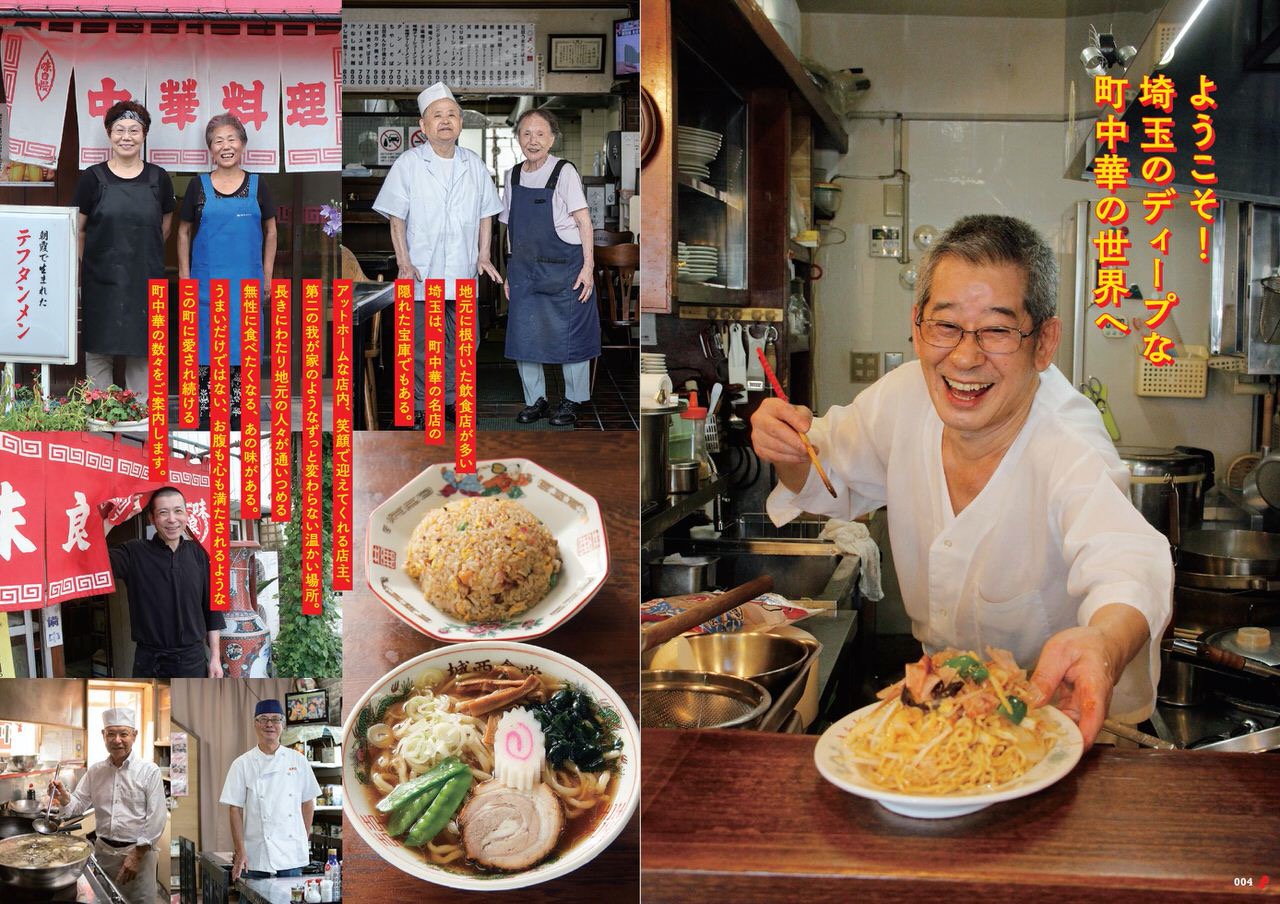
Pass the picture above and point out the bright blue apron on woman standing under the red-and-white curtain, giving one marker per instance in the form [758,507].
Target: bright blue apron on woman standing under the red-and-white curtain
[228,246]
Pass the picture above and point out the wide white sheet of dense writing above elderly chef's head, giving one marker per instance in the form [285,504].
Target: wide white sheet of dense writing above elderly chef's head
[414,56]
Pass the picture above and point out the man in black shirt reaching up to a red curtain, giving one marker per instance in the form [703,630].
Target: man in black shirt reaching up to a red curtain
[168,587]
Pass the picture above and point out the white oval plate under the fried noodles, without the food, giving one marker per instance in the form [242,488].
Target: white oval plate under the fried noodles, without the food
[834,764]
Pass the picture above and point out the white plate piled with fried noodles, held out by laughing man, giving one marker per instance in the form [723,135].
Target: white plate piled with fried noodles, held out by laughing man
[958,734]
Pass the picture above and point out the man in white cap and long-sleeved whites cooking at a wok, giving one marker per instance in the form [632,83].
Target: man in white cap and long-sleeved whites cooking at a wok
[130,812]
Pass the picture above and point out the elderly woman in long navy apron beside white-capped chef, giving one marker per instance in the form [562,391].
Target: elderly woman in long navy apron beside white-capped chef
[552,318]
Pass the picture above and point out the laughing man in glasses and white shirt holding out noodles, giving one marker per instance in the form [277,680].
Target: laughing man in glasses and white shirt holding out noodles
[1008,505]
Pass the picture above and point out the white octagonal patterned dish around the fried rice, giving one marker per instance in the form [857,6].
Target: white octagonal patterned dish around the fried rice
[572,515]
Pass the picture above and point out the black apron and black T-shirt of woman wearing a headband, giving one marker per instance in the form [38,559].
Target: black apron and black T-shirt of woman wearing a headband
[124,249]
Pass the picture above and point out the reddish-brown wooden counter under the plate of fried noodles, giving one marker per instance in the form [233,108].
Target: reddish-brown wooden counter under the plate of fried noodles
[747,818]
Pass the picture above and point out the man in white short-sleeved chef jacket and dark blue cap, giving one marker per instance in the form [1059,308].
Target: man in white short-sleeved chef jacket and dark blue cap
[272,795]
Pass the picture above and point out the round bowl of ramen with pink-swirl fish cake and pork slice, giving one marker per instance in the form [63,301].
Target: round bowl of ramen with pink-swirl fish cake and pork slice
[491,766]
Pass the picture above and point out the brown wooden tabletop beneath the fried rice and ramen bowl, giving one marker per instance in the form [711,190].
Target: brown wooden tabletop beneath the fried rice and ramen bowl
[604,637]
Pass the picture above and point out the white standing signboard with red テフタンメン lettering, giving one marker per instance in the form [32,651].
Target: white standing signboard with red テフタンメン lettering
[38,305]
